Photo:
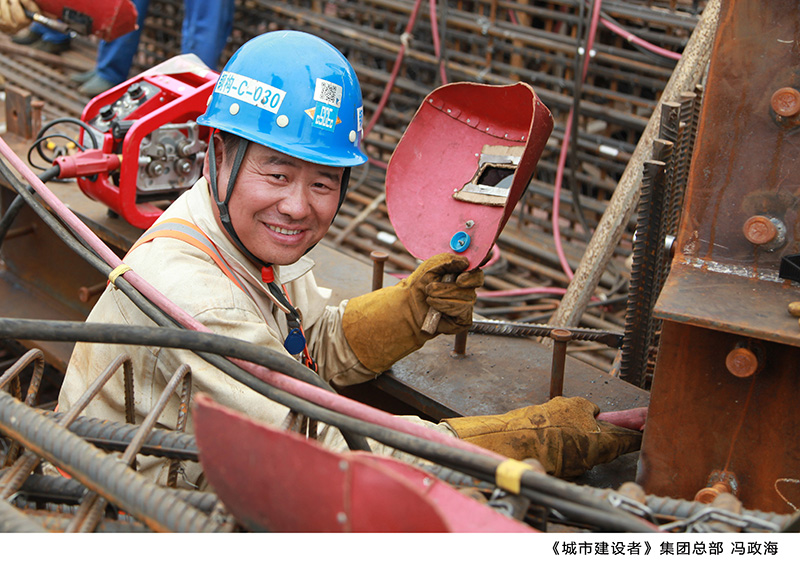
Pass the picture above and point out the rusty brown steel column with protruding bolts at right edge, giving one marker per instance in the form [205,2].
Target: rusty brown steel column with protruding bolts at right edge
[723,291]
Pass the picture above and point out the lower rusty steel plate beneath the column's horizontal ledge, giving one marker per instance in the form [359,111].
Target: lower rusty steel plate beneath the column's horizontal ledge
[704,418]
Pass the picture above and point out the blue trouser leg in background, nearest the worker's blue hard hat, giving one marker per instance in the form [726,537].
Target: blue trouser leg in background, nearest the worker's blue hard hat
[206,28]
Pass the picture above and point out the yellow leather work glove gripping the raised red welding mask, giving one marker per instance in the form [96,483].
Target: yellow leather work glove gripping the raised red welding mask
[385,325]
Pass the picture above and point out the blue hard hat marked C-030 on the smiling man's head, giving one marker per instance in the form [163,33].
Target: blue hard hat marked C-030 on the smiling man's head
[292,92]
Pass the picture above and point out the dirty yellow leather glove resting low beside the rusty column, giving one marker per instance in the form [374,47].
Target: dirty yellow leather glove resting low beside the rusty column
[562,434]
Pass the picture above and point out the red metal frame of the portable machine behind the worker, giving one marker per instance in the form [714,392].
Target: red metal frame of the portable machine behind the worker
[177,97]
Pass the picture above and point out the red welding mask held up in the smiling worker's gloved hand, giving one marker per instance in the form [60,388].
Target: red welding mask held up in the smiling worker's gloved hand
[463,163]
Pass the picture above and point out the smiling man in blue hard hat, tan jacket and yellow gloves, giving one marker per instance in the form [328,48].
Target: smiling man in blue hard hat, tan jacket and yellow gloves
[286,116]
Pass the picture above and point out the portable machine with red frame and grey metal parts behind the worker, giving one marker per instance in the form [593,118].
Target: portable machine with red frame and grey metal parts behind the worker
[149,122]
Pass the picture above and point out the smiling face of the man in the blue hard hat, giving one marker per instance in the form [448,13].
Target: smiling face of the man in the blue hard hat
[281,205]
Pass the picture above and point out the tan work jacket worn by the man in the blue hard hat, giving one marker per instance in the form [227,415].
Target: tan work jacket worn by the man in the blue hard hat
[191,279]
